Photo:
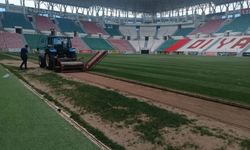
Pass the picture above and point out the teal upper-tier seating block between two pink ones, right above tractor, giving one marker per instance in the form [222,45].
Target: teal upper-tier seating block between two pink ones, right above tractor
[67,25]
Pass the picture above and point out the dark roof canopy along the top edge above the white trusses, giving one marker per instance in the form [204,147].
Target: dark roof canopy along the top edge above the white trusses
[141,6]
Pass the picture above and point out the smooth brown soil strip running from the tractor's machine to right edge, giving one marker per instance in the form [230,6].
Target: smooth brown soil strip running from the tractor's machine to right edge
[224,113]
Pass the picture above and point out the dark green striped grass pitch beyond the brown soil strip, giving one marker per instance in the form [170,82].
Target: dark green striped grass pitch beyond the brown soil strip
[218,77]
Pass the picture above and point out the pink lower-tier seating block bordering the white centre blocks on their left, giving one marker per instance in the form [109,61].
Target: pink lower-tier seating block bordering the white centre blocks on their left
[120,44]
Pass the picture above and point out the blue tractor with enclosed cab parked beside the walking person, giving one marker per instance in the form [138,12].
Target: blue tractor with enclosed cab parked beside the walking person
[56,53]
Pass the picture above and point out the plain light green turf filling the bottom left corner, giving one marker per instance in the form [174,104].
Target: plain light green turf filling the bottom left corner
[27,122]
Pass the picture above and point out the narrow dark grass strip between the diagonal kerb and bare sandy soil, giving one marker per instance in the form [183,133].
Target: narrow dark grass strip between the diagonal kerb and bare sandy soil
[98,134]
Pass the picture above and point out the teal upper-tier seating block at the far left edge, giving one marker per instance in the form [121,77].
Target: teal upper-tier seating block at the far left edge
[15,19]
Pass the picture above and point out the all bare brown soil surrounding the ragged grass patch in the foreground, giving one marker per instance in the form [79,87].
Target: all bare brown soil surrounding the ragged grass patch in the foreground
[217,126]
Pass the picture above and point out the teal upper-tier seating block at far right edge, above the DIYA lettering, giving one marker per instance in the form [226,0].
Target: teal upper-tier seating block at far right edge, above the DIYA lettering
[239,24]
